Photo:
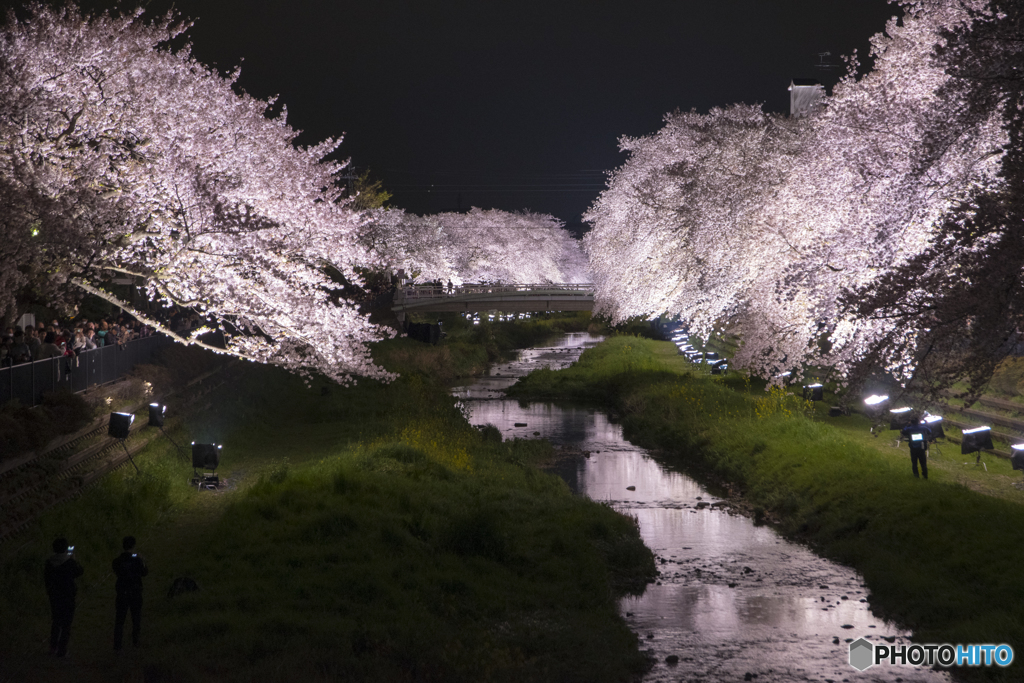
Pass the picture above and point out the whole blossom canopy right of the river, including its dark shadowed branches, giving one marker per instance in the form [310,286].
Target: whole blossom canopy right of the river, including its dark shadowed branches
[864,236]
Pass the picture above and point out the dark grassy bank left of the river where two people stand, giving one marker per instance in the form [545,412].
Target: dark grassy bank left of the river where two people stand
[366,534]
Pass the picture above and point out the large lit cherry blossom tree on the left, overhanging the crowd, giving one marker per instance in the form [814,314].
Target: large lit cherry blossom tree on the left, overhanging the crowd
[122,157]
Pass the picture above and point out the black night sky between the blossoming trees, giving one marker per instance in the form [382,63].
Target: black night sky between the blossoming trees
[515,105]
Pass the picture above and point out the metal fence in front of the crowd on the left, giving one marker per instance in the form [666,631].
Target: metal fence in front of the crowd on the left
[29,381]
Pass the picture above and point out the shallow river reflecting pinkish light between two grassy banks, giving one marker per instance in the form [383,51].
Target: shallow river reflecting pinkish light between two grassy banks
[735,602]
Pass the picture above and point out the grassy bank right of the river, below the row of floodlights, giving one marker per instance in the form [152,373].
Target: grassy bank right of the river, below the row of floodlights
[938,558]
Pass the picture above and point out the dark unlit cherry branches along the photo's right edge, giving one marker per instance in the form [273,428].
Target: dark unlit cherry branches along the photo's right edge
[962,298]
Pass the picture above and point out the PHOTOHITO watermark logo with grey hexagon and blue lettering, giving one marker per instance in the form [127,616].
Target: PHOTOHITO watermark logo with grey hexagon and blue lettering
[865,655]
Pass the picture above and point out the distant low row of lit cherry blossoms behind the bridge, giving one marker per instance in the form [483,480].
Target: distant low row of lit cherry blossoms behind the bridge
[481,246]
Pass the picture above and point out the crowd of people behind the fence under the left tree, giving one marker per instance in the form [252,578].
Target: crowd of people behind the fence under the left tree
[67,339]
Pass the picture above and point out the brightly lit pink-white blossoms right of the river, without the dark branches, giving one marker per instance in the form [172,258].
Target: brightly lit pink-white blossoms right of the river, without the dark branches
[777,227]
